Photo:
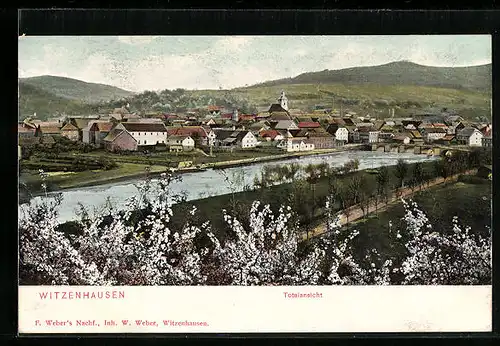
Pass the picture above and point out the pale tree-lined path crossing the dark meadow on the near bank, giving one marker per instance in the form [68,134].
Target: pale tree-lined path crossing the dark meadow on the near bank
[356,213]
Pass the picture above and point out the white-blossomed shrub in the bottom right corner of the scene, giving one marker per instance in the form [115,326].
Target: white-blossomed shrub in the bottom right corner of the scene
[453,258]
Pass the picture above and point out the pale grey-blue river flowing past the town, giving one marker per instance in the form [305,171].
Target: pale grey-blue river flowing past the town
[211,182]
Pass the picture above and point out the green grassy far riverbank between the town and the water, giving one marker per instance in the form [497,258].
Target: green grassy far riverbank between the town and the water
[59,181]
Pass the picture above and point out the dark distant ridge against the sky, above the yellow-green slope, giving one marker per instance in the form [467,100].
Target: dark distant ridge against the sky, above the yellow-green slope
[399,73]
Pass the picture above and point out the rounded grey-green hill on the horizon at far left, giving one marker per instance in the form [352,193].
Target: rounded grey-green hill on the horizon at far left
[74,89]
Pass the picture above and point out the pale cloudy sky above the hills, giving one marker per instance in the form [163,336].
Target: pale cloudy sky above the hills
[139,63]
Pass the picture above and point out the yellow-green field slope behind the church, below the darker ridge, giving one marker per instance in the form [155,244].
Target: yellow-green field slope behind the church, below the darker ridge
[364,98]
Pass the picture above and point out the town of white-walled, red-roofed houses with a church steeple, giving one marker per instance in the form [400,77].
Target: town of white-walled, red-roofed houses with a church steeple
[220,129]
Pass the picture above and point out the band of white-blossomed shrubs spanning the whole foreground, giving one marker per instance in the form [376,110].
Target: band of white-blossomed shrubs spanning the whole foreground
[140,246]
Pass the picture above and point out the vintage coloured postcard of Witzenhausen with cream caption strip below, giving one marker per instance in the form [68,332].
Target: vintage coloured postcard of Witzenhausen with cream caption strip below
[240,184]
